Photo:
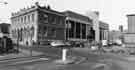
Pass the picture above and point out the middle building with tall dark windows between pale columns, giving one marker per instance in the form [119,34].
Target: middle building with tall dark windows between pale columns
[77,26]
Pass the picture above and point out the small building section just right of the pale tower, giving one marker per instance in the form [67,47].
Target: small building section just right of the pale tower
[104,30]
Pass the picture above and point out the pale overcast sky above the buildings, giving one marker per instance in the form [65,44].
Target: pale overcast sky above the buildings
[112,12]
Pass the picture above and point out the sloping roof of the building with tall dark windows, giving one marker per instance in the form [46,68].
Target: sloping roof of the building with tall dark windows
[77,16]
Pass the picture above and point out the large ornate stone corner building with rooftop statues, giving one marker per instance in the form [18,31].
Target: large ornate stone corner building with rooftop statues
[37,25]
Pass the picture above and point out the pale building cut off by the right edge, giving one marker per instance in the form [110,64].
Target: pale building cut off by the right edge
[129,36]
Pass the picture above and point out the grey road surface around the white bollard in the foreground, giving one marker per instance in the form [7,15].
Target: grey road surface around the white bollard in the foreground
[106,61]
